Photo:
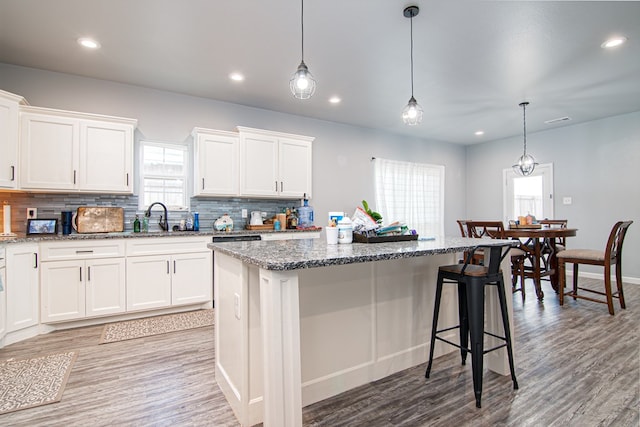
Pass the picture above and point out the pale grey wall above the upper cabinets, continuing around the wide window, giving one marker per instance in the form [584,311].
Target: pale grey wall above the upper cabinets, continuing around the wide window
[342,170]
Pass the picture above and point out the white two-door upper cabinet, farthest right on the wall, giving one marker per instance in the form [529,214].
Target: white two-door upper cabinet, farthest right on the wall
[274,164]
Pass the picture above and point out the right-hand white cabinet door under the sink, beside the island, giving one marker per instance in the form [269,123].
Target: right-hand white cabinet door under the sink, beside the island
[192,278]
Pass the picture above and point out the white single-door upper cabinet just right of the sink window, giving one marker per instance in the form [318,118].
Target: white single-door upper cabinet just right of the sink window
[216,163]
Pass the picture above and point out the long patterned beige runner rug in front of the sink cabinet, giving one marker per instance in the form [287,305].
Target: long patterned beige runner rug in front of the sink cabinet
[139,328]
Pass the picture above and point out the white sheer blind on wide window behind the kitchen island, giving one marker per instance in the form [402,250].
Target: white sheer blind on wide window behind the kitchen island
[412,193]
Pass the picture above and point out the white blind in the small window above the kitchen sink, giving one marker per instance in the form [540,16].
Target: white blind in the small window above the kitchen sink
[163,177]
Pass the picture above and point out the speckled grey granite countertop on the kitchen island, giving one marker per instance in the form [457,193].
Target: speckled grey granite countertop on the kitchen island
[308,253]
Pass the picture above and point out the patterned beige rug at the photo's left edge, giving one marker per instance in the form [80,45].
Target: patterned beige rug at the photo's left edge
[25,383]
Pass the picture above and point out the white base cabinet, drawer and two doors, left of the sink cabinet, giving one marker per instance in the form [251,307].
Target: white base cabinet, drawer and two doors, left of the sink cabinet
[82,279]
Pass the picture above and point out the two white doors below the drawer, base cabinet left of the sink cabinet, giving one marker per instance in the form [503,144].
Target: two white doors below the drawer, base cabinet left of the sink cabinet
[85,288]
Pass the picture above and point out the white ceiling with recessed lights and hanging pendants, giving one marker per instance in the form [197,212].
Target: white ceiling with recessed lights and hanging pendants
[475,61]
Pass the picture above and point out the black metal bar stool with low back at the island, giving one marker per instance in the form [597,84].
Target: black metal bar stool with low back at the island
[471,280]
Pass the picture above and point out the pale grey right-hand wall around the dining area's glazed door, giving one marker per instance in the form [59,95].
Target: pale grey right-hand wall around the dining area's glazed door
[596,163]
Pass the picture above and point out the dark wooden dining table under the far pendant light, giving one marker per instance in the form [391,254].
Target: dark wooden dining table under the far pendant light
[539,244]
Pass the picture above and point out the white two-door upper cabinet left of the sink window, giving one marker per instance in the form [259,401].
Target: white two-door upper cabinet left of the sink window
[68,151]
